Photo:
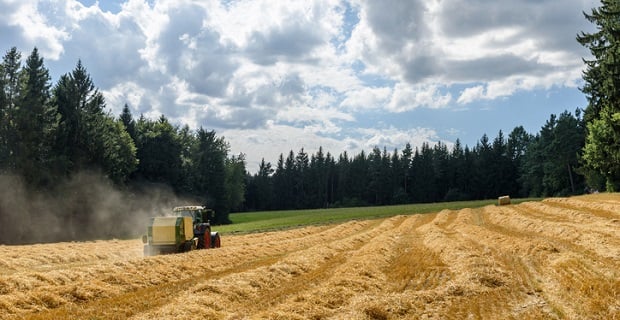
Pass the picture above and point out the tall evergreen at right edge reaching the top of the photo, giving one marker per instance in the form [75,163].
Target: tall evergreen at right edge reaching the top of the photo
[602,88]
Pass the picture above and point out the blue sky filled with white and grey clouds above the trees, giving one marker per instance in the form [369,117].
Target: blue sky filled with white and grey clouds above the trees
[275,76]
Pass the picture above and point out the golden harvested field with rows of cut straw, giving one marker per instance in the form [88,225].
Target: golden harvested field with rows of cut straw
[555,259]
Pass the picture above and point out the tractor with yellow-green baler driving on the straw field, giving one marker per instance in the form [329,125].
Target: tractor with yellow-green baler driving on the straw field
[187,229]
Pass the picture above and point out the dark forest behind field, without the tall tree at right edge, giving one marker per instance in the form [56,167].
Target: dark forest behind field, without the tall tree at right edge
[50,133]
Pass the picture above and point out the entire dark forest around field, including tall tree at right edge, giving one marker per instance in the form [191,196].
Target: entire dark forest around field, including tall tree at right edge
[52,136]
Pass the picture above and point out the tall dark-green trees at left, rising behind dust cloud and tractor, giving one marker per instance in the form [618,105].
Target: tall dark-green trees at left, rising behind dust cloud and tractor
[49,134]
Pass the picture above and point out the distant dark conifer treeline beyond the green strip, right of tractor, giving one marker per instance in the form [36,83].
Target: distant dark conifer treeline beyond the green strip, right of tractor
[519,165]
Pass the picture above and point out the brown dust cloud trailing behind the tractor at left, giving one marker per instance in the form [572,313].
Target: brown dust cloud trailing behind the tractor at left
[86,207]
